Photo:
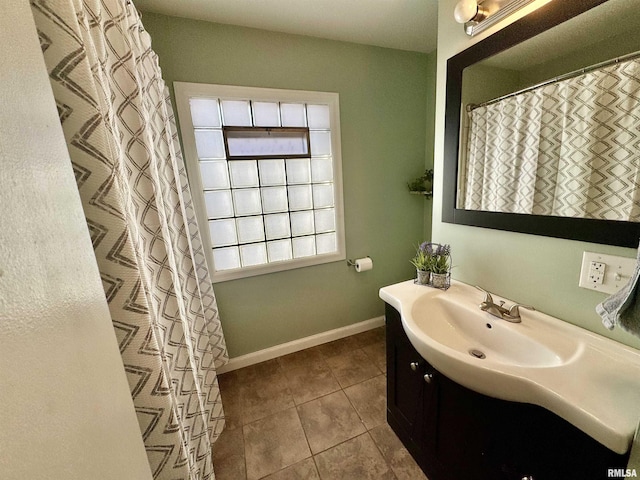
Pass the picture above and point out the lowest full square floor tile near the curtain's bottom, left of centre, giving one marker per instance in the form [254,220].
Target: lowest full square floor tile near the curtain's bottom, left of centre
[274,443]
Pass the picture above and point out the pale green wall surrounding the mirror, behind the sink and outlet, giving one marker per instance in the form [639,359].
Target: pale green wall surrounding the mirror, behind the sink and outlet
[540,271]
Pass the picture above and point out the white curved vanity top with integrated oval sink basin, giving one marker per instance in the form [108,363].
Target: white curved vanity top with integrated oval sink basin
[589,380]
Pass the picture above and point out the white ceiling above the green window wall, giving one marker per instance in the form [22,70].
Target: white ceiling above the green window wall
[401,24]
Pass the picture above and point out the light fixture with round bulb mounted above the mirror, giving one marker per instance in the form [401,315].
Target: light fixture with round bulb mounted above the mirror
[478,15]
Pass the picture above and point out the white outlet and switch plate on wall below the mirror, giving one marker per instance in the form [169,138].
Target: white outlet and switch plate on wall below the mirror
[605,273]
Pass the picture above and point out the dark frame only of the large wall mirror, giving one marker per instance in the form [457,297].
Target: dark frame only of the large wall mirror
[625,234]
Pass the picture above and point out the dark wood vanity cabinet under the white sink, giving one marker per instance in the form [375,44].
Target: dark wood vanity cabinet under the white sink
[455,433]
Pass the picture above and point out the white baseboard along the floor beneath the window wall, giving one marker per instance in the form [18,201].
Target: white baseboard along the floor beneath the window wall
[300,344]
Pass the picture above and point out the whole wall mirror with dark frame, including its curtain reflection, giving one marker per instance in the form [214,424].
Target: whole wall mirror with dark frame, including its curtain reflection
[542,125]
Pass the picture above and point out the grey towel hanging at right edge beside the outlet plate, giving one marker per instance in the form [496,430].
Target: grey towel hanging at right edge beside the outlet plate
[623,308]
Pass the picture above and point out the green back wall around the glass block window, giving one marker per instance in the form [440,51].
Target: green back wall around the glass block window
[384,109]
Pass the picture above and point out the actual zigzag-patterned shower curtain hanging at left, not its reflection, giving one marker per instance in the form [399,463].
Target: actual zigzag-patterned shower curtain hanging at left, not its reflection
[118,122]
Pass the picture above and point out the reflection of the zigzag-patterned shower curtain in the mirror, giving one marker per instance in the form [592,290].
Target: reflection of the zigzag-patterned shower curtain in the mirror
[570,148]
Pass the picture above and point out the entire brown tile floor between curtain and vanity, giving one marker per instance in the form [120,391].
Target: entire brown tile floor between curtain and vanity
[315,414]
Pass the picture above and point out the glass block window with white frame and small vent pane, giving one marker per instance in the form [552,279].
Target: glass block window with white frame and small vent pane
[264,168]
